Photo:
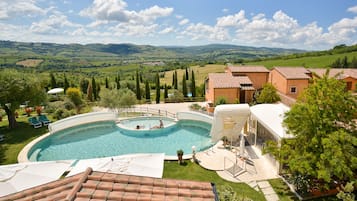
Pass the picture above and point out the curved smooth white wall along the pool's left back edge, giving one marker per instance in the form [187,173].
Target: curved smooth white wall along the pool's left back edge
[81,119]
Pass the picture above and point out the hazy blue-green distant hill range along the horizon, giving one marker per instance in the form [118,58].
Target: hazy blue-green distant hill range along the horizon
[90,52]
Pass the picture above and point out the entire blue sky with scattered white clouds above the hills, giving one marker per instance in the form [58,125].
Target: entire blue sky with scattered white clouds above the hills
[303,24]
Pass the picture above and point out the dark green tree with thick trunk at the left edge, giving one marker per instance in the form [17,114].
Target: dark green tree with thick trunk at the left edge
[17,88]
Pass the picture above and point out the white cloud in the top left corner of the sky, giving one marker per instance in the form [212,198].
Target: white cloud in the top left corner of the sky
[13,8]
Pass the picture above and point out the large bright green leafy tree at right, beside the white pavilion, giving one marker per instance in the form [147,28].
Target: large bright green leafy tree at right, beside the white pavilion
[322,121]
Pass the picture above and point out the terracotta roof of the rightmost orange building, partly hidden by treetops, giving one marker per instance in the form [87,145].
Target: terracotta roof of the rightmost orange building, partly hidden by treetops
[345,72]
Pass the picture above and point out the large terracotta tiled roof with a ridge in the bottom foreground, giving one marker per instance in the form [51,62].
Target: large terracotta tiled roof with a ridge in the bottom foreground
[91,186]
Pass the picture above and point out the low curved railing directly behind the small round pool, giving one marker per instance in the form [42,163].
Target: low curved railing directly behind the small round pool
[145,111]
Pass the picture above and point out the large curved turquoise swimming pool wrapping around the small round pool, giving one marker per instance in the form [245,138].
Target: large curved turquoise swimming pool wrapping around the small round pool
[104,139]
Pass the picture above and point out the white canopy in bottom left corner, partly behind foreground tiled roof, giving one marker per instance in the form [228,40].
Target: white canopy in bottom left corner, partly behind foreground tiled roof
[18,177]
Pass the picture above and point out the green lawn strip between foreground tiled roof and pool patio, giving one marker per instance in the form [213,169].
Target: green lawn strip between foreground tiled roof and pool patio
[193,171]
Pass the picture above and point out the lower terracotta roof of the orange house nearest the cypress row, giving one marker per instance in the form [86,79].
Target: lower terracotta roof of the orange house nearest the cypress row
[225,80]
